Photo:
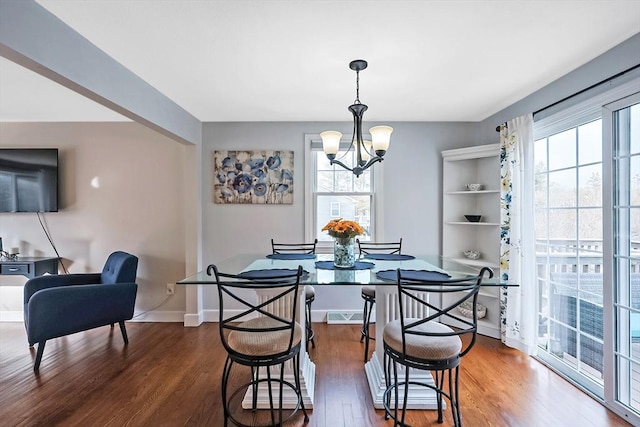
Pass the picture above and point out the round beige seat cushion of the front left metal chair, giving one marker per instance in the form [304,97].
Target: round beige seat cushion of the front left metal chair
[263,343]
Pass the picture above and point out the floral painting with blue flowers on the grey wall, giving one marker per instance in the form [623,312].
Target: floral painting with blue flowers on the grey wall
[253,176]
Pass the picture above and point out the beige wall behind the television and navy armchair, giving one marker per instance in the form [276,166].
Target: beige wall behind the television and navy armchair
[139,208]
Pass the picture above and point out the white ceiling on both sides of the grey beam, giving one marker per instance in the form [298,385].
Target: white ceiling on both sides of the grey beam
[285,60]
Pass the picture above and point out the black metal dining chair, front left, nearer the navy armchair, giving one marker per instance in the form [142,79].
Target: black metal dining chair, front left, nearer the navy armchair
[266,340]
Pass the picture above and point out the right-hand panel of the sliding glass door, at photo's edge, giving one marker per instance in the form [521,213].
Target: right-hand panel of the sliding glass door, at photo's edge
[622,381]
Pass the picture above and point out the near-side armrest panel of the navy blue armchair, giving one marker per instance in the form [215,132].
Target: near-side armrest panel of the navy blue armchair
[59,311]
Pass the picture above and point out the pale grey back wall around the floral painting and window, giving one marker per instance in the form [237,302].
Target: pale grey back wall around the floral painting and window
[412,196]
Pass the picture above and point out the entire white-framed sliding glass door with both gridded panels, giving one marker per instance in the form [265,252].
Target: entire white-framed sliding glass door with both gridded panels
[587,198]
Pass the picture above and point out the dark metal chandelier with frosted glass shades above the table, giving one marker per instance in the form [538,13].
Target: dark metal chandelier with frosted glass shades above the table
[364,150]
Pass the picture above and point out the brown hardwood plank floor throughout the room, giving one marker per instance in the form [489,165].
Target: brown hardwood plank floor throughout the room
[169,375]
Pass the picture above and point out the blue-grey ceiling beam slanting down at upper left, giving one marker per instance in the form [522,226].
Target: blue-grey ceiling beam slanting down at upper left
[34,38]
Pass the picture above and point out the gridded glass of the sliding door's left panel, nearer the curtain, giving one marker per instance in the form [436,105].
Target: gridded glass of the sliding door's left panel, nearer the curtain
[569,241]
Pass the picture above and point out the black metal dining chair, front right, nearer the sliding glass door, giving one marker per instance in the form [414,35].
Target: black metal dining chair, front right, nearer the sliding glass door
[427,343]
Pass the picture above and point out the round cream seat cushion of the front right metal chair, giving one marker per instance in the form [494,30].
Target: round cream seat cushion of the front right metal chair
[423,347]
